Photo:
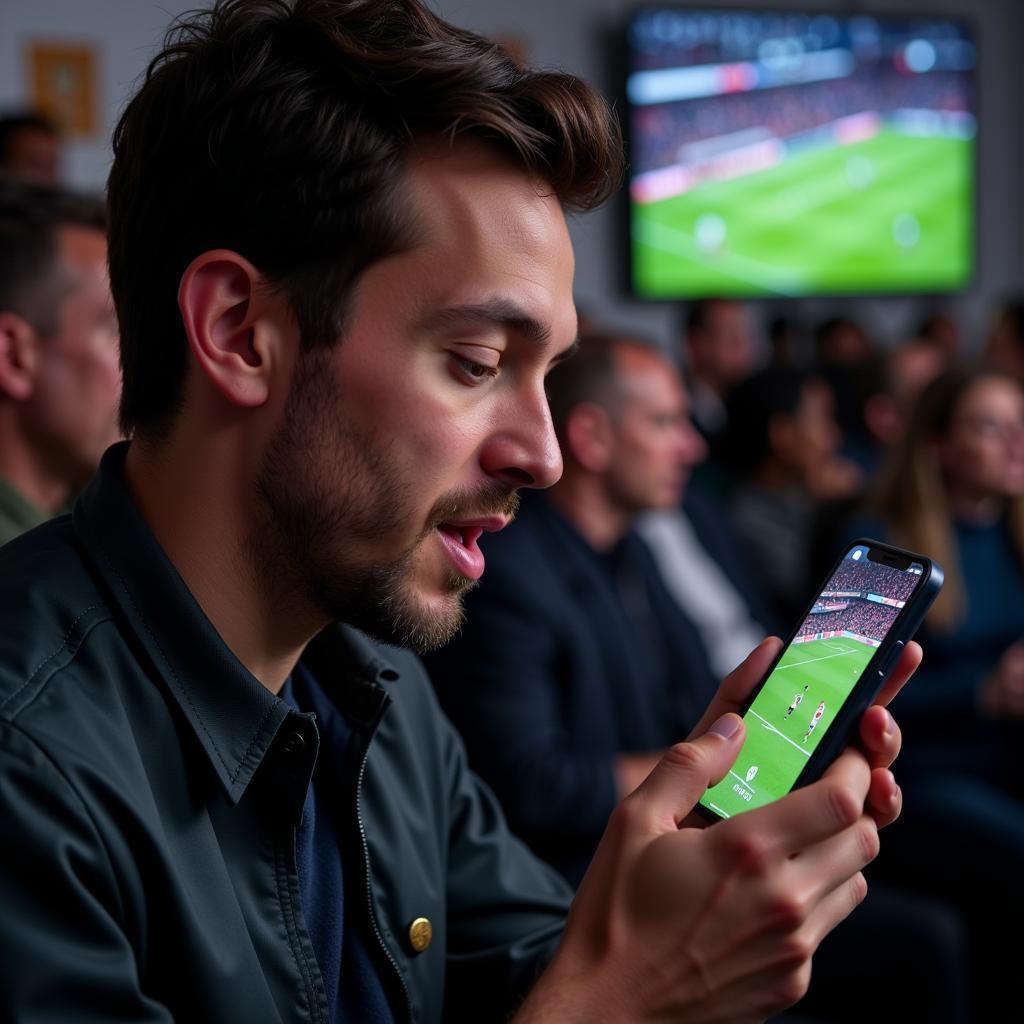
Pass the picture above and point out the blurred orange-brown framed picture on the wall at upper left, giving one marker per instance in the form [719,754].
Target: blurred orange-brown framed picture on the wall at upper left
[63,84]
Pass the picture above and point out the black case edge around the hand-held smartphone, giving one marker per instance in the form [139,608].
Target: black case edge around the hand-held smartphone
[877,671]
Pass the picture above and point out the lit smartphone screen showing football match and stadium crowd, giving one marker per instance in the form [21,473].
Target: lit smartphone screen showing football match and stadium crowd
[817,674]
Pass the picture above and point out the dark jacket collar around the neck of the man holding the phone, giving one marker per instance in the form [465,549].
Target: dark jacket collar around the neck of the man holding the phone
[234,716]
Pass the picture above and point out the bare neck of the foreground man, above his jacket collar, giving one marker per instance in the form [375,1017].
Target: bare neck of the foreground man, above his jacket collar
[200,510]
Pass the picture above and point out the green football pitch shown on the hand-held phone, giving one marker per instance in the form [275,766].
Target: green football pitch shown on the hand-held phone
[778,745]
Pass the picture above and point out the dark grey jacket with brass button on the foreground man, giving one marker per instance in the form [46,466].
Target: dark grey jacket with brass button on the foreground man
[150,789]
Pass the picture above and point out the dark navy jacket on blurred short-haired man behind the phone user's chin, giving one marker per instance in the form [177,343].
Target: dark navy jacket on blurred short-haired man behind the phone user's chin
[568,658]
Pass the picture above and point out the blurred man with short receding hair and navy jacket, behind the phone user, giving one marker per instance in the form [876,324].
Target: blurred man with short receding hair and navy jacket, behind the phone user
[576,669]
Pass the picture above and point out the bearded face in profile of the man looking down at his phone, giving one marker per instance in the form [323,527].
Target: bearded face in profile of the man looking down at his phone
[408,439]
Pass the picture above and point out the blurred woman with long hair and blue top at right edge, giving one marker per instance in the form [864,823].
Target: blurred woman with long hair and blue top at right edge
[955,490]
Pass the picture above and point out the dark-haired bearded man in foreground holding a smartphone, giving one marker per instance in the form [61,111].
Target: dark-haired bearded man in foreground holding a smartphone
[342,269]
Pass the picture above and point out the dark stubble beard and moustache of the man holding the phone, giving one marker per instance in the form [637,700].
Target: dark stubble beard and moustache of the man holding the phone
[326,492]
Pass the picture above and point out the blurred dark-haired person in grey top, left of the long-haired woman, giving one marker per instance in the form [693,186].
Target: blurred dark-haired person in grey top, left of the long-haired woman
[783,446]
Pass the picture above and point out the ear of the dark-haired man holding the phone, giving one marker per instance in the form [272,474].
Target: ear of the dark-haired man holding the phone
[218,300]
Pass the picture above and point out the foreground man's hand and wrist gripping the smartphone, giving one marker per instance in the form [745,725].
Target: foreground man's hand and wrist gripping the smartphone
[720,924]
